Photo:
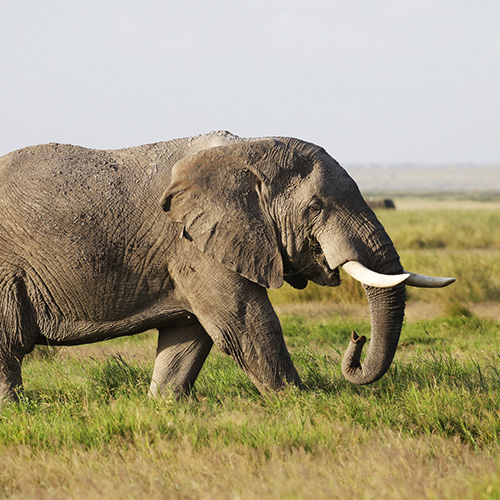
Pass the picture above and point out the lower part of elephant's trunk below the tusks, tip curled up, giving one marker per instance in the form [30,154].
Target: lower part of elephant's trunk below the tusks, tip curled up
[387,310]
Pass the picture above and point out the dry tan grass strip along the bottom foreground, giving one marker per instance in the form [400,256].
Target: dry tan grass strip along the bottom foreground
[360,465]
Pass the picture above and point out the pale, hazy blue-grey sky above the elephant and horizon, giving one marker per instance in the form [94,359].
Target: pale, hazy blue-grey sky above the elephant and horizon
[371,81]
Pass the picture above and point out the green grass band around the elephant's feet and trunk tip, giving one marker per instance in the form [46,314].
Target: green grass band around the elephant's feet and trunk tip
[63,398]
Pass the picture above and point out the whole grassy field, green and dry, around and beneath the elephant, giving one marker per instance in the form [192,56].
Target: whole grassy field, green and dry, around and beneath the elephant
[430,429]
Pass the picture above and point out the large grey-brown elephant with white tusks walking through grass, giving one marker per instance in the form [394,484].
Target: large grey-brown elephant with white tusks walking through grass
[185,237]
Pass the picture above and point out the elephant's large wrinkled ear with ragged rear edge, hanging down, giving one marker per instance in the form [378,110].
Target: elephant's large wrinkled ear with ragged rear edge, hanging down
[220,197]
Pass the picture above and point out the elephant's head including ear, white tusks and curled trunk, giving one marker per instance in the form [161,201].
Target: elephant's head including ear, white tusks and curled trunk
[282,209]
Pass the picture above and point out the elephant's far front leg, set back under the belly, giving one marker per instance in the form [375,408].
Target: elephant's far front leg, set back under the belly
[181,352]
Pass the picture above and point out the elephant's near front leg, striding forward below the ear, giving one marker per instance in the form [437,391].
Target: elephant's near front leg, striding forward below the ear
[243,324]
